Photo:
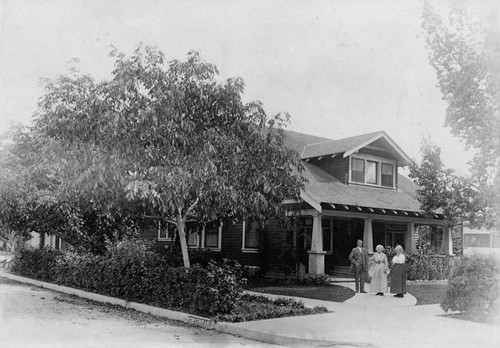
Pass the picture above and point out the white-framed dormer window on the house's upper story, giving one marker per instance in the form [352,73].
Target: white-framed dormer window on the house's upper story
[372,171]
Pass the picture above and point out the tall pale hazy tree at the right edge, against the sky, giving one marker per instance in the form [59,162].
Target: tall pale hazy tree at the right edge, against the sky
[464,50]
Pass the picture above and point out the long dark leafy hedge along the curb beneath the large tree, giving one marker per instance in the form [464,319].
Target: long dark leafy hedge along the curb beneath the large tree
[130,271]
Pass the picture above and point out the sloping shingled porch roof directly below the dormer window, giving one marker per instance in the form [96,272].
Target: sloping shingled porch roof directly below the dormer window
[325,188]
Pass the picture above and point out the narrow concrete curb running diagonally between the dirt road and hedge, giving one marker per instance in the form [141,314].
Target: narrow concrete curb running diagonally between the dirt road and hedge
[207,323]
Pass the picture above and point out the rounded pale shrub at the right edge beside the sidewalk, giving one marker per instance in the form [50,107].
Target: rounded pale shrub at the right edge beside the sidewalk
[474,286]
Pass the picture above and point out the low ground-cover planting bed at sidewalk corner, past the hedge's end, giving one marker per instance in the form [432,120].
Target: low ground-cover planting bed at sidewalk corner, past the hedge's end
[253,307]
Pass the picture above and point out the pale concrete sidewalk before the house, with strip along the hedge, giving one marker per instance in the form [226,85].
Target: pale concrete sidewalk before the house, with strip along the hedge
[365,320]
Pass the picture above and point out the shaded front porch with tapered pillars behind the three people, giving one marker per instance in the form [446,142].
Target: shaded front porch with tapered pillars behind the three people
[327,237]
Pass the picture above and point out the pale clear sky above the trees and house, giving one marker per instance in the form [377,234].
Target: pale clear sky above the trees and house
[338,67]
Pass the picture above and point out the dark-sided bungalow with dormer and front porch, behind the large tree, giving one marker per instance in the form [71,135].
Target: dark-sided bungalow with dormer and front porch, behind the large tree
[353,192]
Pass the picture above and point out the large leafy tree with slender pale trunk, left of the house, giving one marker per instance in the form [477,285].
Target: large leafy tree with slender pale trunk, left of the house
[172,137]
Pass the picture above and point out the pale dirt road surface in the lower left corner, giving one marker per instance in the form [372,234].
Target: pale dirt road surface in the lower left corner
[35,317]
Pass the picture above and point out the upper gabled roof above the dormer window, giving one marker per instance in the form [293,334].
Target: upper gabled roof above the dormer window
[350,145]
